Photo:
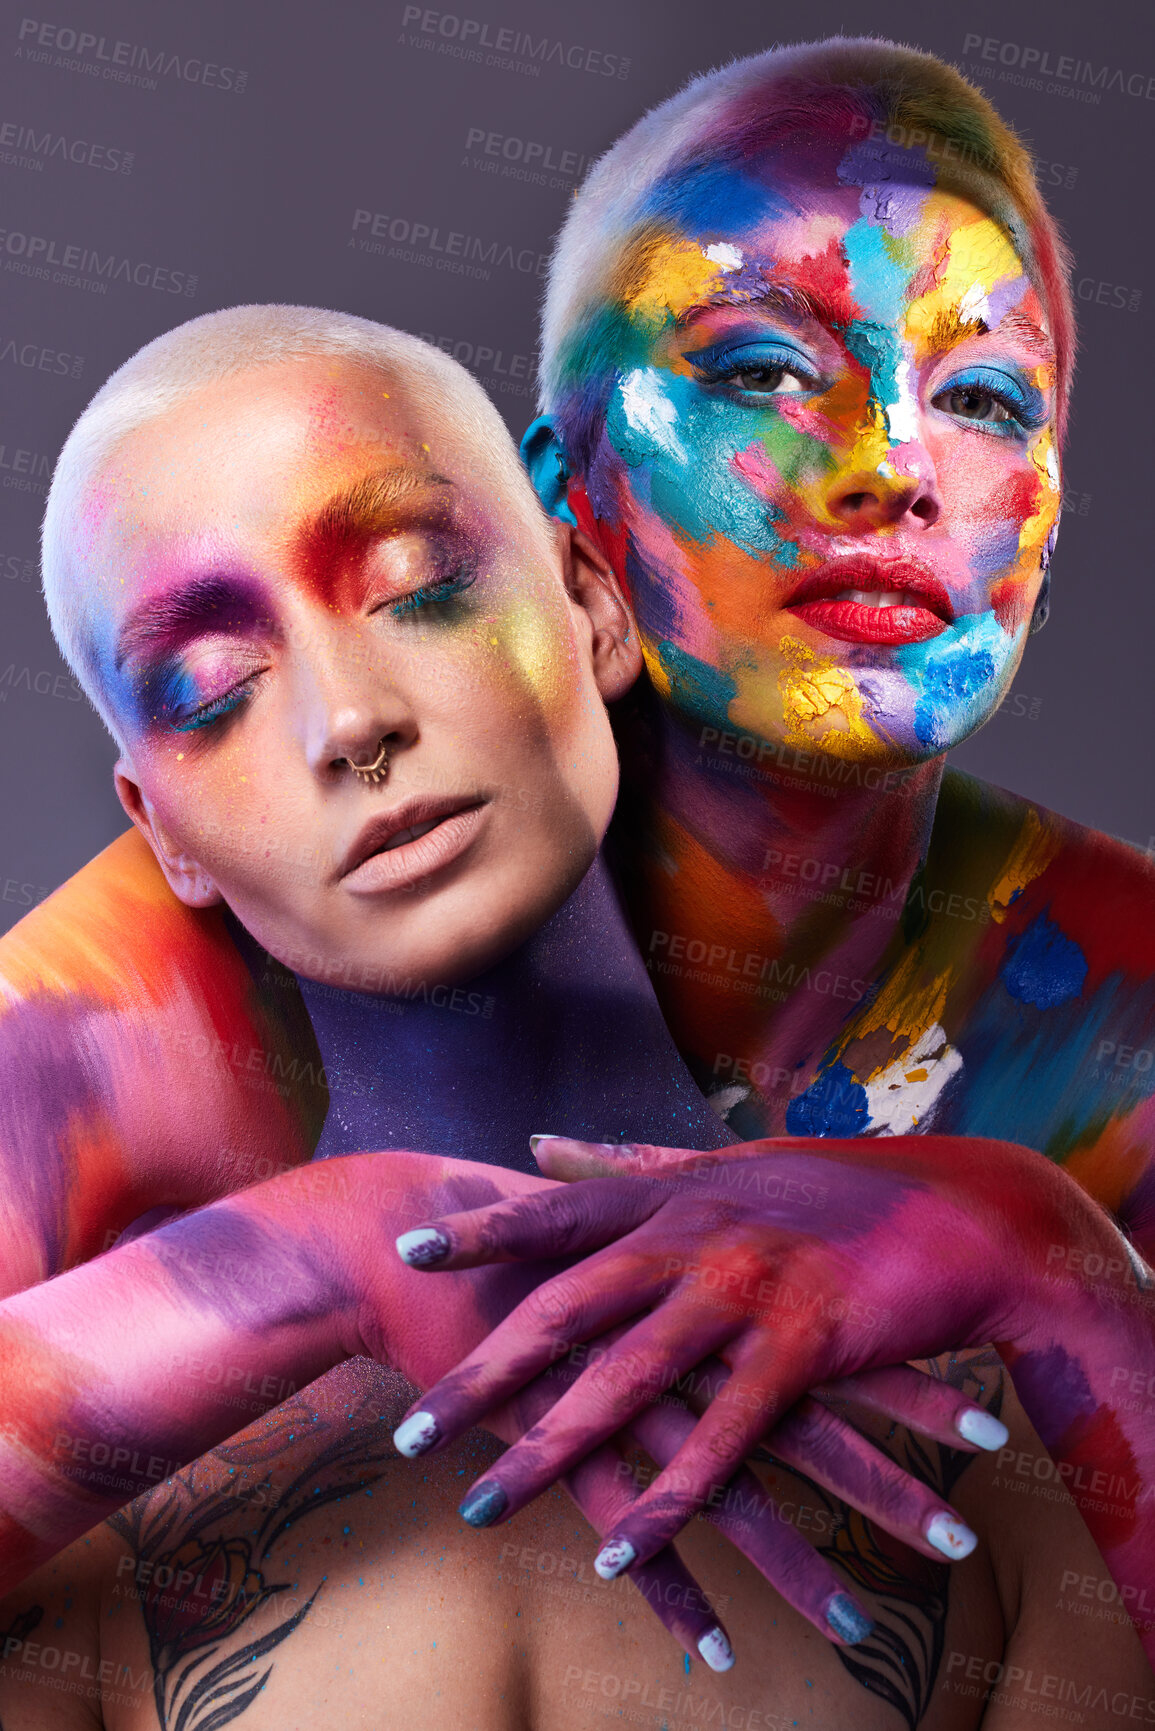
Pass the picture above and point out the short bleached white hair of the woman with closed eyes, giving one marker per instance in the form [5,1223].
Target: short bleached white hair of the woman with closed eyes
[207,351]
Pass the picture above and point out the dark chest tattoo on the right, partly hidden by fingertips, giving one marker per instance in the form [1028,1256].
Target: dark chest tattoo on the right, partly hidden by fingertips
[907,1593]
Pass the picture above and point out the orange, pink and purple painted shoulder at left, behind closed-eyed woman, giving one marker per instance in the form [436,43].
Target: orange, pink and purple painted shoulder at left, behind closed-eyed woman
[146,1065]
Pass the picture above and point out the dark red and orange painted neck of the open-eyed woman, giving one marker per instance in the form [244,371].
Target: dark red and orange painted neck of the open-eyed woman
[765,884]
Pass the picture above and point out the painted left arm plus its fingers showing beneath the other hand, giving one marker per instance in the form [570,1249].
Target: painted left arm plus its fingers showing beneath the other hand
[122,1370]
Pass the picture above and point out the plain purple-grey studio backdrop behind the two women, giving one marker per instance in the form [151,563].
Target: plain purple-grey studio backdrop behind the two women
[164,160]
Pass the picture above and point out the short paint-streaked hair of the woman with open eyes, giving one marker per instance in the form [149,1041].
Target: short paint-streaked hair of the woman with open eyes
[844,87]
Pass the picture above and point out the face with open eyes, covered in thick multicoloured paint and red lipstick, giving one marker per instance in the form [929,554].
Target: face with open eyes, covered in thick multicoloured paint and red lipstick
[829,451]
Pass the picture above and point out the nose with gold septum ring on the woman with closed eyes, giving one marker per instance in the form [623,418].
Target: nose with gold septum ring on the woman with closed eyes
[349,704]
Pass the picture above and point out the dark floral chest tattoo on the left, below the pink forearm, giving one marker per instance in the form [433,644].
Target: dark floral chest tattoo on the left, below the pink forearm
[203,1583]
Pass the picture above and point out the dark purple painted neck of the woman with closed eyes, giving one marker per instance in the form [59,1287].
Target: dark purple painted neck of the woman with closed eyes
[564,1036]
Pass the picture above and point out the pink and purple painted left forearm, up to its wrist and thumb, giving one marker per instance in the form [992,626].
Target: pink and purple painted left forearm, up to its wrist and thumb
[120,1372]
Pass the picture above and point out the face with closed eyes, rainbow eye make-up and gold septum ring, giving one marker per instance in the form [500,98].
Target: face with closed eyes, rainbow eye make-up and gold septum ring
[299,565]
